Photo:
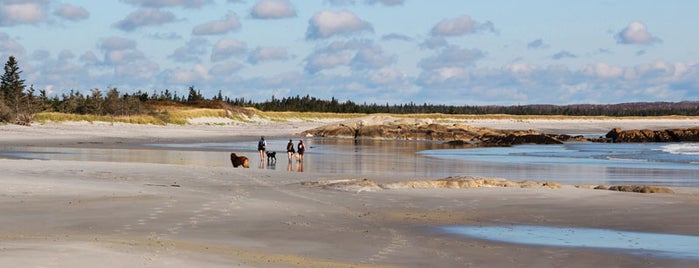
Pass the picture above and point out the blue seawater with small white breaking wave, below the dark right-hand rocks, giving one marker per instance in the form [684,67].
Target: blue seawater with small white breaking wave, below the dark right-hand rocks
[671,164]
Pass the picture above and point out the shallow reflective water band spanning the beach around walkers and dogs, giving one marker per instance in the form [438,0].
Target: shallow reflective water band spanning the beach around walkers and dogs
[672,164]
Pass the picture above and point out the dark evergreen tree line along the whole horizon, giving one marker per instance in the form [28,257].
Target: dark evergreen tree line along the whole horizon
[19,103]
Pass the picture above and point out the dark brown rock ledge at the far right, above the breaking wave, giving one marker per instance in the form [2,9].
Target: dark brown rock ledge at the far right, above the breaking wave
[647,135]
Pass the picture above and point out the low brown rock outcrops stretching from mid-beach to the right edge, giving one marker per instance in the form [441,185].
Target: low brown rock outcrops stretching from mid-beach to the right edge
[466,135]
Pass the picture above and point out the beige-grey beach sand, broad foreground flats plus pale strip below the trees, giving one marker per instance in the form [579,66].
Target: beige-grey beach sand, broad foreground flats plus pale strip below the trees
[107,214]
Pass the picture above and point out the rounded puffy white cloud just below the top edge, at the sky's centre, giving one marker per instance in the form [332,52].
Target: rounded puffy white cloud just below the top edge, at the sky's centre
[325,24]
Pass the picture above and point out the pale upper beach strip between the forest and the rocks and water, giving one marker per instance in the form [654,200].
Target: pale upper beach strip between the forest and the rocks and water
[208,130]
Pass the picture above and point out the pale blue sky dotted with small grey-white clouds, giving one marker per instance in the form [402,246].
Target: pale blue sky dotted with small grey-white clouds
[451,52]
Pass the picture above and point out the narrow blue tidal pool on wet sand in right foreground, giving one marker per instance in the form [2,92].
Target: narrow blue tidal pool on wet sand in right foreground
[658,244]
